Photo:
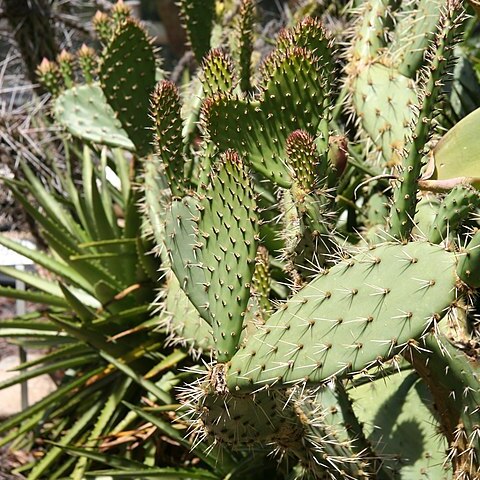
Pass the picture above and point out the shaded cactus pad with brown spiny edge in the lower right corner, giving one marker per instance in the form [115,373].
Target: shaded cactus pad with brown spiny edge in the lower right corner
[453,379]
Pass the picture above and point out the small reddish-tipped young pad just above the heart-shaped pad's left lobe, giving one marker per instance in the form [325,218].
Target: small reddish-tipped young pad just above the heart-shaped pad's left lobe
[217,73]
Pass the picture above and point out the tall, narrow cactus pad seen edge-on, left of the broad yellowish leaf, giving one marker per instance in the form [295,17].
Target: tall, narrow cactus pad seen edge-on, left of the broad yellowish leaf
[405,192]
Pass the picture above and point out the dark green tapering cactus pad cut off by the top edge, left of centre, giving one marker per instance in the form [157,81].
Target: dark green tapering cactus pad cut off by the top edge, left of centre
[198,17]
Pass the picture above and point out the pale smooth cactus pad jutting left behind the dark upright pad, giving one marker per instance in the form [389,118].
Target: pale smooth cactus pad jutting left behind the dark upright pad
[85,113]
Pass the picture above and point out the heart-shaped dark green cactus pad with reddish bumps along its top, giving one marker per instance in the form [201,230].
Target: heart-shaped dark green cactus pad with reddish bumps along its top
[292,97]
